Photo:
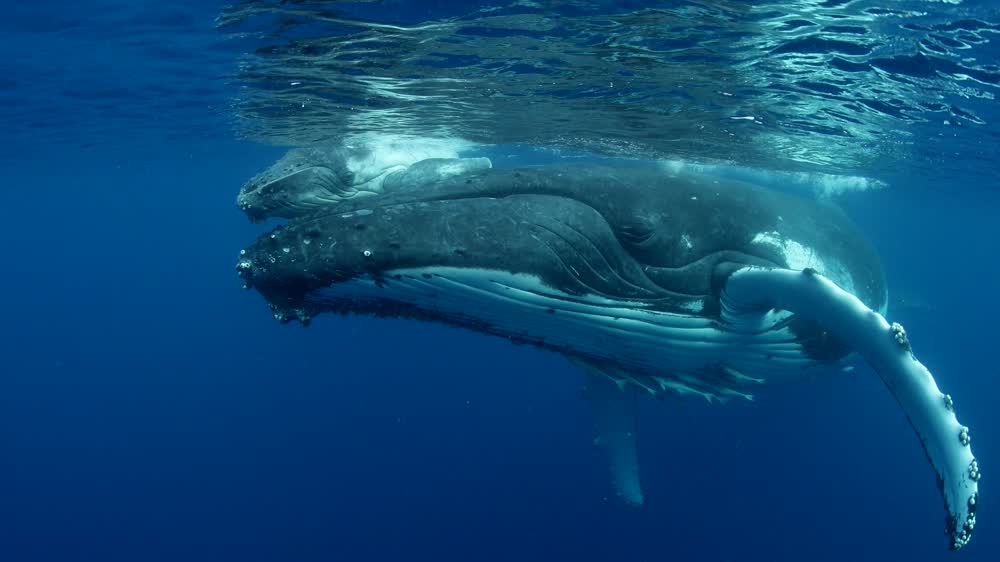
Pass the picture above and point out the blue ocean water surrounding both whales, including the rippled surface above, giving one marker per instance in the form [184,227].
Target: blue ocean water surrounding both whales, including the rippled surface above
[150,410]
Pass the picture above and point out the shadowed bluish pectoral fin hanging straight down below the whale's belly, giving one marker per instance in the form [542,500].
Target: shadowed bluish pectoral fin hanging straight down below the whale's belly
[614,408]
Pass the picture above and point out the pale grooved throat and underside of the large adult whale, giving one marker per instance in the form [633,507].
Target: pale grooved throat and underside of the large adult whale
[648,349]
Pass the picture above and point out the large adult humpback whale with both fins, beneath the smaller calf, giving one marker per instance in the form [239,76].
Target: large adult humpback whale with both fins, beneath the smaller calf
[650,281]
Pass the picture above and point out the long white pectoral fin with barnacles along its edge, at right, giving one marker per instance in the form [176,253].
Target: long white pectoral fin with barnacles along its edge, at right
[885,347]
